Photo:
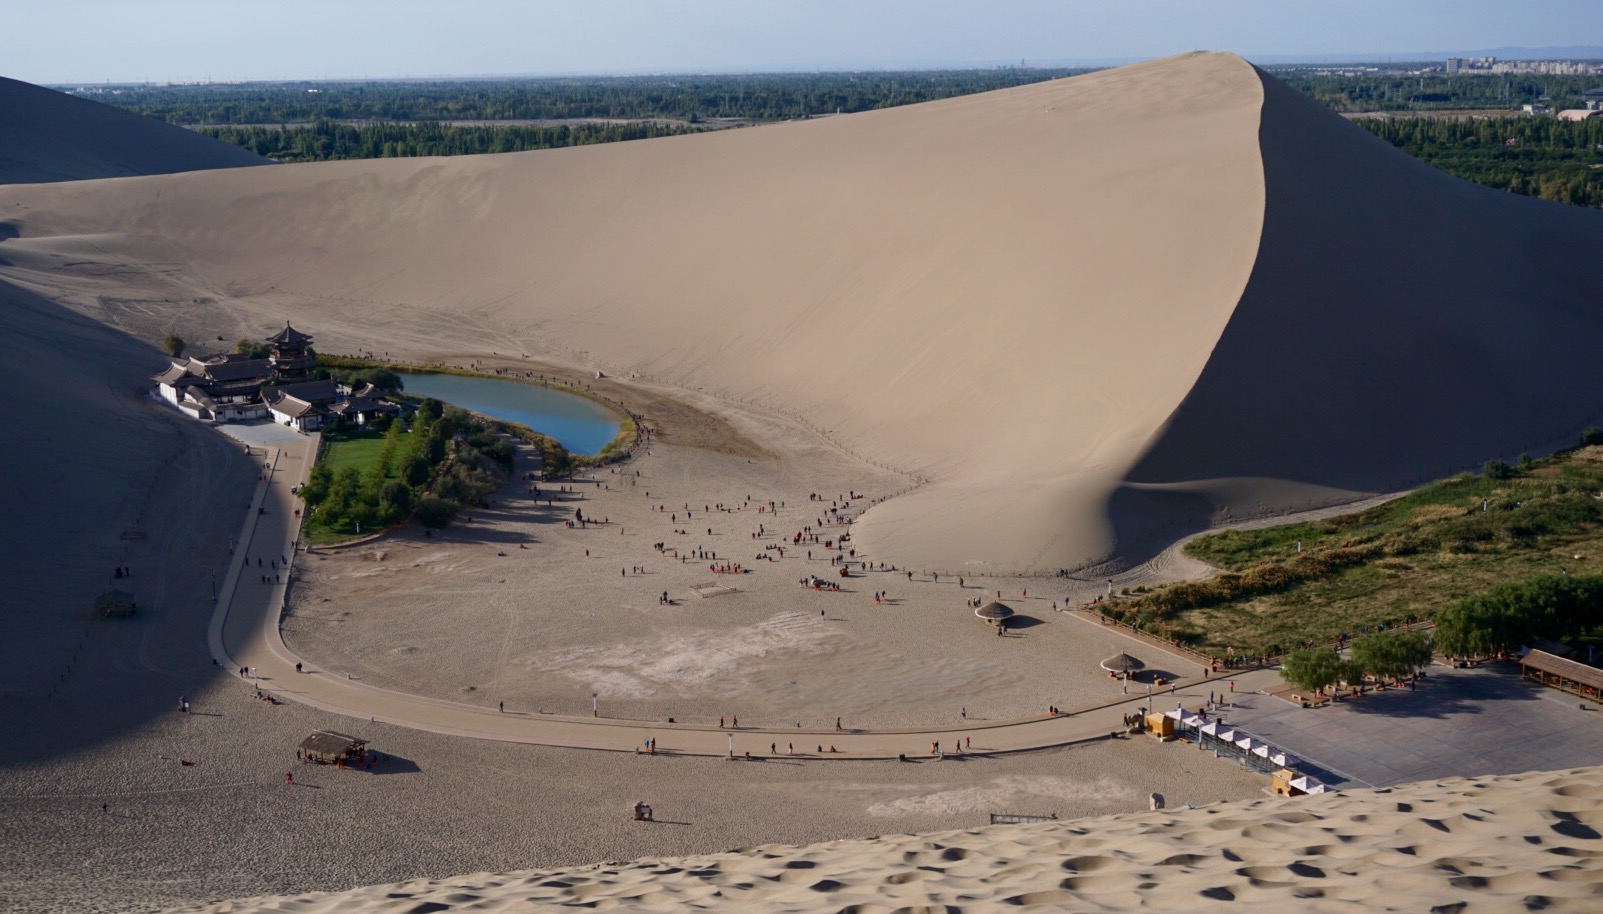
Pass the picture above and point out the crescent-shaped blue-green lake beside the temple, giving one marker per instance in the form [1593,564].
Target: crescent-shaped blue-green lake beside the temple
[583,426]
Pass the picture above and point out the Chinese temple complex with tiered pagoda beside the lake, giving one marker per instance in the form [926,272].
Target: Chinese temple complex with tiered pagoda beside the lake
[280,387]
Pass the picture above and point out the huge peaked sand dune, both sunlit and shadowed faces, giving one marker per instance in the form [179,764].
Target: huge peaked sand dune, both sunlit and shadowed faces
[1094,313]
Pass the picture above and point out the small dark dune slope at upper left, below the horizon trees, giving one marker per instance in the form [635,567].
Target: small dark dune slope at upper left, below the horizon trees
[54,137]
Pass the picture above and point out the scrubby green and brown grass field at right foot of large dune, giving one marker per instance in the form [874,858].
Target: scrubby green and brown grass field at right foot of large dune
[1391,564]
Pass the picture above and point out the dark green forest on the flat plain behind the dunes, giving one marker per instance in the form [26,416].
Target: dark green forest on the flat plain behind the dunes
[312,123]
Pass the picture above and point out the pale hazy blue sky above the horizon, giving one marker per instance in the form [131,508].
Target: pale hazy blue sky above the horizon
[187,41]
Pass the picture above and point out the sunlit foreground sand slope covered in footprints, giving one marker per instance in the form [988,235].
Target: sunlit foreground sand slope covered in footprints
[1488,844]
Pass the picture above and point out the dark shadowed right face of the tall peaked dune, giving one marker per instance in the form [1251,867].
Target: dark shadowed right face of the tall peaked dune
[1389,336]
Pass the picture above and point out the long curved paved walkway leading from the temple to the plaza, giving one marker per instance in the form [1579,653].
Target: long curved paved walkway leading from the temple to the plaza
[246,633]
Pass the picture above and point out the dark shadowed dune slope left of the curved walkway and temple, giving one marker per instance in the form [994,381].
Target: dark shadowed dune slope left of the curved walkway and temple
[103,479]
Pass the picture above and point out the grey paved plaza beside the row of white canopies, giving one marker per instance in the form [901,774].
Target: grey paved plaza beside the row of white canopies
[1466,722]
